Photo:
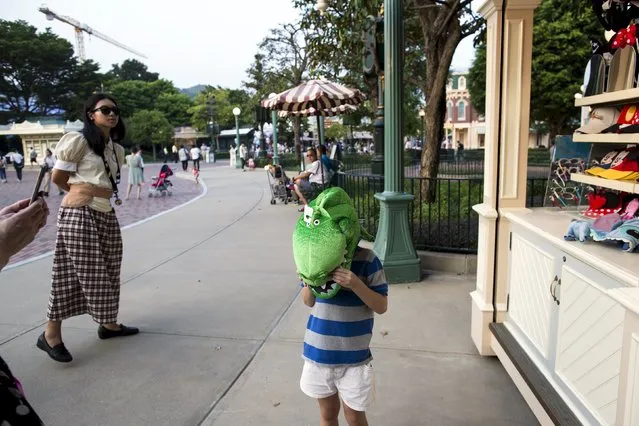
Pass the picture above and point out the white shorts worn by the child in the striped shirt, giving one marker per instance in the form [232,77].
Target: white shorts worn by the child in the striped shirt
[355,385]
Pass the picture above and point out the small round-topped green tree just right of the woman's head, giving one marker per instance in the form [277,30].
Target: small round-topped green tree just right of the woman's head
[150,128]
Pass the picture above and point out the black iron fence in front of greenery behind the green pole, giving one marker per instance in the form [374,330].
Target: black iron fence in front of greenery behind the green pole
[447,223]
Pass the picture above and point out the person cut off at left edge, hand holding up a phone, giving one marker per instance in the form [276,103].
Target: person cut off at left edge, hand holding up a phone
[19,224]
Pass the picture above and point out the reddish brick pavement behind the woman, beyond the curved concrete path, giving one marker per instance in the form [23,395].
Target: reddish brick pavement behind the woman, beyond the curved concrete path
[184,189]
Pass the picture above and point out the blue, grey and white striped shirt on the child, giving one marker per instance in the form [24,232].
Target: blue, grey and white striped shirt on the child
[339,329]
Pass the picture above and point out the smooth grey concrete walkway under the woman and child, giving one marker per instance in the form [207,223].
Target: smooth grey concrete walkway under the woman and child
[217,303]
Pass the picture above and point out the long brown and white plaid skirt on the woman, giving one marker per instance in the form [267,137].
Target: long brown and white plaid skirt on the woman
[86,266]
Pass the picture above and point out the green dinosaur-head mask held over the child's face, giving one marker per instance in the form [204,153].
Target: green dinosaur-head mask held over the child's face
[325,238]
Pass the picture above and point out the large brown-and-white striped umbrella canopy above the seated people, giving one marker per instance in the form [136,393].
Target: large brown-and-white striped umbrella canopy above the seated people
[316,94]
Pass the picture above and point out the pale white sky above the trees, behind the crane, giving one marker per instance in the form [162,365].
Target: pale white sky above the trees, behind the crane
[188,41]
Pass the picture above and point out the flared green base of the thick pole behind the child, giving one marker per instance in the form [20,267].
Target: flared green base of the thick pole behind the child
[393,244]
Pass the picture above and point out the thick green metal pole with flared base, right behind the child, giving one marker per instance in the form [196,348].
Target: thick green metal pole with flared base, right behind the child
[393,243]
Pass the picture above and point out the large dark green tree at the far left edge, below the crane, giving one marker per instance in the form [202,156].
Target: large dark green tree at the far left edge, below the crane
[38,73]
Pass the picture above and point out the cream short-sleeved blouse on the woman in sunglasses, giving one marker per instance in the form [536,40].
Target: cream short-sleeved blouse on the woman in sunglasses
[74,156]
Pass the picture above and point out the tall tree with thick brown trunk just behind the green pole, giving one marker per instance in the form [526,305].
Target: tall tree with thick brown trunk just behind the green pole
[440,24]
